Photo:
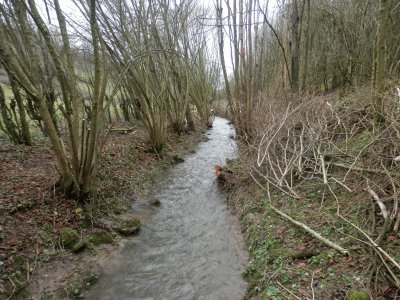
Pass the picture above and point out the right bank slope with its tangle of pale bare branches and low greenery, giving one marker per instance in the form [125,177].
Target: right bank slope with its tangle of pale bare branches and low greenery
[323,162]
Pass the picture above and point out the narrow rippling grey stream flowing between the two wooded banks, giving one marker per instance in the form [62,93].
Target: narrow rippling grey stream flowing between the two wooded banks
[190,247]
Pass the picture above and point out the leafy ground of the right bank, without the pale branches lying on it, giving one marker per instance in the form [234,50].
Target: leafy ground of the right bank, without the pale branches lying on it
[286,262]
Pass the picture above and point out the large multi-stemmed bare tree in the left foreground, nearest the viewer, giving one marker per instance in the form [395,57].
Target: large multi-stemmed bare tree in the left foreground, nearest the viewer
[78,168]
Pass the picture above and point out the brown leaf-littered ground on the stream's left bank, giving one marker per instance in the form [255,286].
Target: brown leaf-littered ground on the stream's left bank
[33,262]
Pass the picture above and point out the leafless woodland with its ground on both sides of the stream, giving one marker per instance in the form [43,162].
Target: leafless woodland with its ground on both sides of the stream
[96,97]
